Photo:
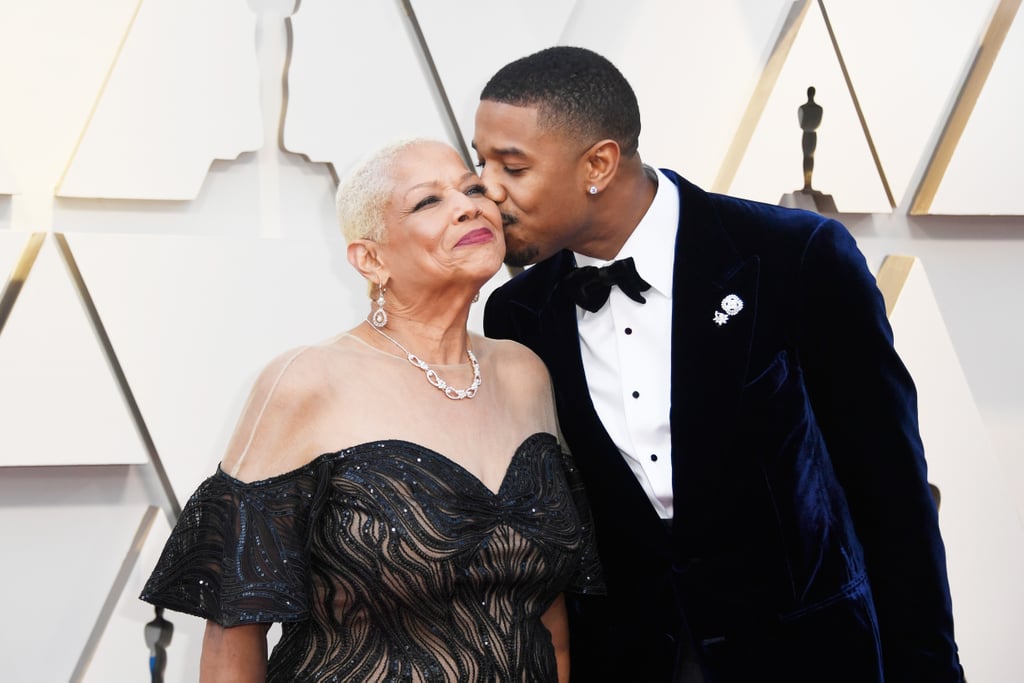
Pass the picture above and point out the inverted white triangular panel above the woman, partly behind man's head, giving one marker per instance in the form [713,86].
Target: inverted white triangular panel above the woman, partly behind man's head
[527,27]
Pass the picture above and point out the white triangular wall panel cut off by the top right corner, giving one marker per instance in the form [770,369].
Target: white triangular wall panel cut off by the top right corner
[984,177]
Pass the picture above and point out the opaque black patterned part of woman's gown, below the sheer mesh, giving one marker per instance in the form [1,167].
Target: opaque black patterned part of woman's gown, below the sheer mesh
[388,562]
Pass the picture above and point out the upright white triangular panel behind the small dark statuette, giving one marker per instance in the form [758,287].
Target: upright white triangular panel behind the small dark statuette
[843,164]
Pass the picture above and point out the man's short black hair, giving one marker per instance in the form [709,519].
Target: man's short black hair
[576,91]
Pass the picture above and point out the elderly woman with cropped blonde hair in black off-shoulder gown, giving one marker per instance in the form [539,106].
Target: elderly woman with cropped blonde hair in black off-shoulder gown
[395,496]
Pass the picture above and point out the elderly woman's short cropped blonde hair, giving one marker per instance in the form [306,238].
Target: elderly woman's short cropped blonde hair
[364,194]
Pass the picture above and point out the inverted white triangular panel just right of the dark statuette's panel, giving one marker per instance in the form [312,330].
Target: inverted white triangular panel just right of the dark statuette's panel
[907,59]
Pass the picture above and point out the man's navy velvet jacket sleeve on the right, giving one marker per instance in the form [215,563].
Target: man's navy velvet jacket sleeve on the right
[866,404]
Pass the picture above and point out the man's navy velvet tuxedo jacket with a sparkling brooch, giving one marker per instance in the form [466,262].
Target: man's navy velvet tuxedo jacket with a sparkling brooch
[805,545]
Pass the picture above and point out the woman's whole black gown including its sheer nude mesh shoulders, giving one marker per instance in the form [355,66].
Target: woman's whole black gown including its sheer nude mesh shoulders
[386,560]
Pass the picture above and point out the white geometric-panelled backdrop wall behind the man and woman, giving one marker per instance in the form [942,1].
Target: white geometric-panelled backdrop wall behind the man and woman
[167,172]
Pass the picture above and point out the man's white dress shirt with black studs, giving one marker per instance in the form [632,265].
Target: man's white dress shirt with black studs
[627,352]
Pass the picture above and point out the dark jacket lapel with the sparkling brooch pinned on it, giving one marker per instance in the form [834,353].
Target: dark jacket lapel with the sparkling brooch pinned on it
[710,358]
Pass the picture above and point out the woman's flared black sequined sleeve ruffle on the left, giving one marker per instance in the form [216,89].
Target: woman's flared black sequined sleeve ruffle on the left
[238,552]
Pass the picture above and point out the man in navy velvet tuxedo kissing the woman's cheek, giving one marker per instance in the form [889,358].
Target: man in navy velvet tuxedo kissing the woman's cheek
[746,431]
